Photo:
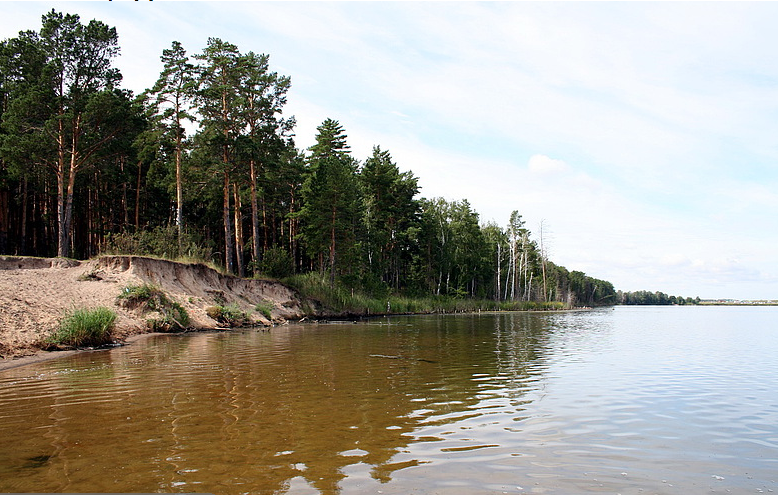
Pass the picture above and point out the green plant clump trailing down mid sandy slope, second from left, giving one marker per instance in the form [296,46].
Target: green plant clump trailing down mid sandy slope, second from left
[151,298]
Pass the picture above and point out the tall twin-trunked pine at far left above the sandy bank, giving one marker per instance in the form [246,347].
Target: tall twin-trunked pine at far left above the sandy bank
[61,104]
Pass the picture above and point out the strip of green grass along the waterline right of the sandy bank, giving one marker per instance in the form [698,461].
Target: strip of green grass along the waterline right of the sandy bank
[342,300]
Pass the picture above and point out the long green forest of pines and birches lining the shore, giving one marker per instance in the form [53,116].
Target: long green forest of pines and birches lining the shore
[203,165]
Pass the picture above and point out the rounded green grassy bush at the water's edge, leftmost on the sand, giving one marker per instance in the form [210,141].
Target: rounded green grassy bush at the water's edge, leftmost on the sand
[85,327]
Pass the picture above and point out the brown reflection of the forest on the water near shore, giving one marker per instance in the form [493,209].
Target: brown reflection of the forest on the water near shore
[257,410]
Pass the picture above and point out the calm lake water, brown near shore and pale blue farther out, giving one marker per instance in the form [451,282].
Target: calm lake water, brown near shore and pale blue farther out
[620,400]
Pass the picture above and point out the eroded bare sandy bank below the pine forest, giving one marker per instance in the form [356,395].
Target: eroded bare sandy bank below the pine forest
[36,292]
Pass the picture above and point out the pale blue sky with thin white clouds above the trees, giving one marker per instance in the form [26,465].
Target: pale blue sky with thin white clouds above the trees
[641,136]
